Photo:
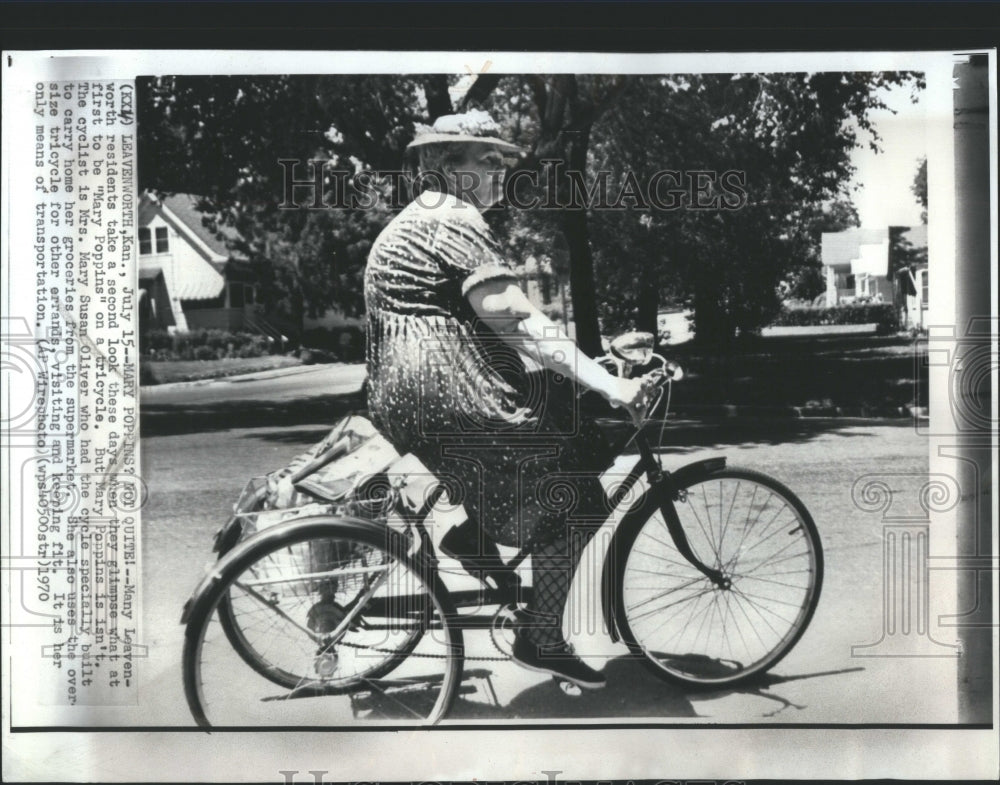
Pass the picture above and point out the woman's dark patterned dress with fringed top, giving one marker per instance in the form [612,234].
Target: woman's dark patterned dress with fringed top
[509,444]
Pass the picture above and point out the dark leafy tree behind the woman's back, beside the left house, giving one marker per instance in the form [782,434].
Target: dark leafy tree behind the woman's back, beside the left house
[223,138]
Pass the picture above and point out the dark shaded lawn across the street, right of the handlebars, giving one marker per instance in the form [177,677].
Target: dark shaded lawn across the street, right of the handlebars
[820,371]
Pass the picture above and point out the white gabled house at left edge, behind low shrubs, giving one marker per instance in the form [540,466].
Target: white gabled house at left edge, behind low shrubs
[189,277]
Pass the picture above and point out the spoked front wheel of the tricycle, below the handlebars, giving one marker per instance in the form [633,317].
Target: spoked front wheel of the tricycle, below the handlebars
[762,538]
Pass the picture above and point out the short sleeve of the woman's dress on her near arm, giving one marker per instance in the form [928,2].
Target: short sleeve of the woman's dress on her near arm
[466,248]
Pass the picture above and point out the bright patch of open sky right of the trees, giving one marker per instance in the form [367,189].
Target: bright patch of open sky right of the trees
[884,197]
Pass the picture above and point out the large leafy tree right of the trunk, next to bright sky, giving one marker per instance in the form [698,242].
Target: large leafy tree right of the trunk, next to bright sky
[788,137]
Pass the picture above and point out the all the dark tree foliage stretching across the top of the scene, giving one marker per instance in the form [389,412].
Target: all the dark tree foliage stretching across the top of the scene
[789,135]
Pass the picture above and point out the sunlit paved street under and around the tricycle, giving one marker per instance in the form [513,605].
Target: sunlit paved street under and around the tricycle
[201,442]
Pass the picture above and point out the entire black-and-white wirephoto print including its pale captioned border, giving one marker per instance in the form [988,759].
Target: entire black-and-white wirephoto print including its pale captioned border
[498,393]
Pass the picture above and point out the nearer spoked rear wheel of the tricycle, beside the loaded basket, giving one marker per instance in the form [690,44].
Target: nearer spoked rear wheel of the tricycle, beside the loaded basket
[325,609]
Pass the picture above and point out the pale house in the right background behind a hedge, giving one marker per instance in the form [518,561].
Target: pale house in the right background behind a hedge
[887,264]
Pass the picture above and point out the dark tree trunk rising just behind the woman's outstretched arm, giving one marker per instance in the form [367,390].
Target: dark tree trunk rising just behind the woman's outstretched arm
[581,260]
